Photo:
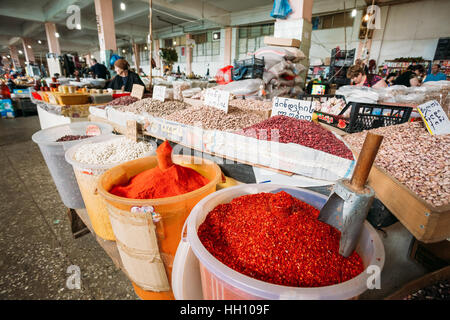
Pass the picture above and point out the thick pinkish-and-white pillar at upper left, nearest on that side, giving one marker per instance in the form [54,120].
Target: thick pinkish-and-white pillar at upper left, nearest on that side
[106,30]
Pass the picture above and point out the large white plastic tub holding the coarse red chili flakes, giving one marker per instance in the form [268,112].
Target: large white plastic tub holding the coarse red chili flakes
[219,282]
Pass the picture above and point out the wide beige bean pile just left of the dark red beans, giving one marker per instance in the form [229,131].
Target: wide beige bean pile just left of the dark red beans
[212,118]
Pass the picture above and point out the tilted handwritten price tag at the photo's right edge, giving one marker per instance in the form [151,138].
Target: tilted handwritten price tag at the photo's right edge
[434,118]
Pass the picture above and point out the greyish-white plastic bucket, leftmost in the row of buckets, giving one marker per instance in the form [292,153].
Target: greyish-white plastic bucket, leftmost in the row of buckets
[54,156]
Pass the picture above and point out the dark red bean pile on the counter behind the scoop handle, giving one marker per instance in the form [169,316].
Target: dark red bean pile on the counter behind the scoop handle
[303,132]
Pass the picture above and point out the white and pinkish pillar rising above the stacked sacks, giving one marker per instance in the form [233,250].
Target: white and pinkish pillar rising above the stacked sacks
[297,25]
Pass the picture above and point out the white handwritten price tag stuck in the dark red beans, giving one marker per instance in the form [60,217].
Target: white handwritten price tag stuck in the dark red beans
[298,109]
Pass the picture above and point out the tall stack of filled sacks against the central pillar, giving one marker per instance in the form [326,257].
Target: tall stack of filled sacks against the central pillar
[282,72]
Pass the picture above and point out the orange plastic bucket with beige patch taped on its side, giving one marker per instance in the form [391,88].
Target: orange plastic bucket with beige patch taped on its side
[147,242]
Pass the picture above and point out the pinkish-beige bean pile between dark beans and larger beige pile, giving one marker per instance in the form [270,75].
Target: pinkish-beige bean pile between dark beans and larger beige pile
[153,107]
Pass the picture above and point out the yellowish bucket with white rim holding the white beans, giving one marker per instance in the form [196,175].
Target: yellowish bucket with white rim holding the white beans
[88,176]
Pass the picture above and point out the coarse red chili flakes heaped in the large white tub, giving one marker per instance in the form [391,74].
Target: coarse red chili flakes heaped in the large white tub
[277,238]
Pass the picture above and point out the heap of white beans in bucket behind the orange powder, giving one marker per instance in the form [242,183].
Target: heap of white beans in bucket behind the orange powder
[112,151]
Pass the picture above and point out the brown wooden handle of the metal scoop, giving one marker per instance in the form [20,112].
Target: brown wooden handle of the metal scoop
[365,160]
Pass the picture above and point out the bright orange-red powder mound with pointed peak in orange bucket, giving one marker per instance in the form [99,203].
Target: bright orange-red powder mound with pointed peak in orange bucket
[166,180]
